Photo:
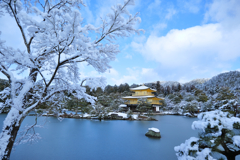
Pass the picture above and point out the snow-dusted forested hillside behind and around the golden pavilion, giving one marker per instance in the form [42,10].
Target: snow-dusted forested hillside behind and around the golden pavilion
[197,95]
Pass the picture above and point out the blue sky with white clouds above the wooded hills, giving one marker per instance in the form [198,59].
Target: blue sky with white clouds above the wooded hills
[183,40]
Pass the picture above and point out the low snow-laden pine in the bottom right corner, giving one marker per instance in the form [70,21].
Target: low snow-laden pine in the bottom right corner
[219,132]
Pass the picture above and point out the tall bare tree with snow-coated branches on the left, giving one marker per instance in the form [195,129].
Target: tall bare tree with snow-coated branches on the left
[56,40]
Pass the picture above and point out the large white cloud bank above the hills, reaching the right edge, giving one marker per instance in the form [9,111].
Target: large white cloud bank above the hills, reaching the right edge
[200,51]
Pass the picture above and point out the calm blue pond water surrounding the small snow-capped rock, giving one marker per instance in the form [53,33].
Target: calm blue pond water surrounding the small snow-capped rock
[104,140]
